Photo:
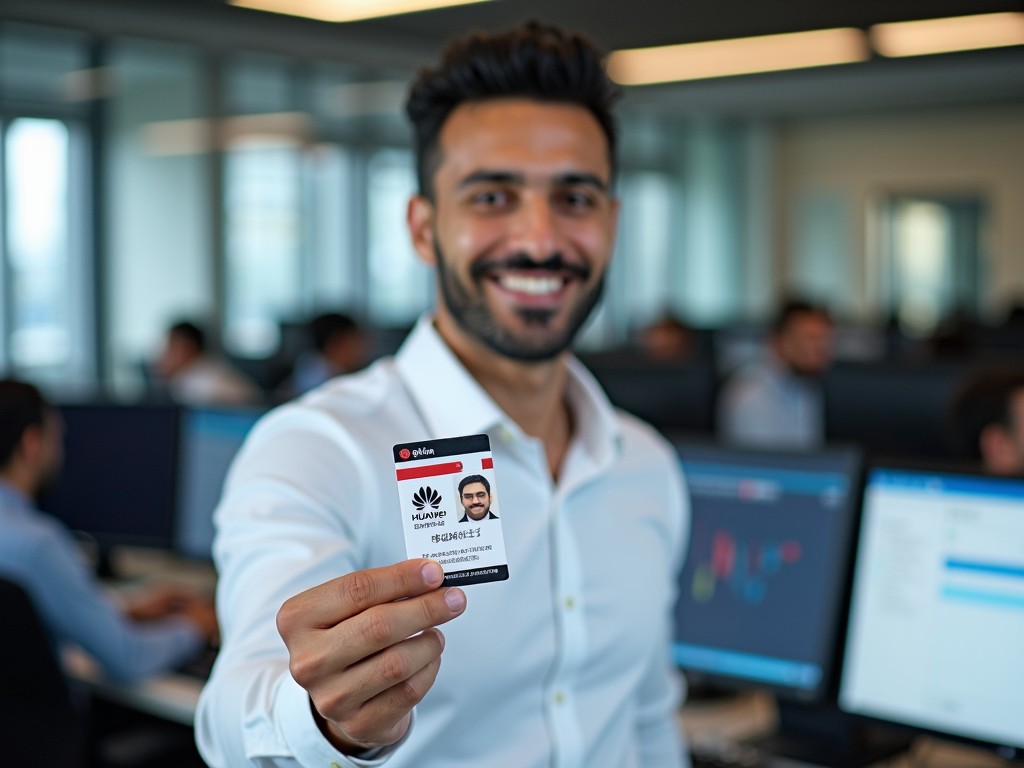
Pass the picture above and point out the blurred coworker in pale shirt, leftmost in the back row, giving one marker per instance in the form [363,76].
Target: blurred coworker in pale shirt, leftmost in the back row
[194,376]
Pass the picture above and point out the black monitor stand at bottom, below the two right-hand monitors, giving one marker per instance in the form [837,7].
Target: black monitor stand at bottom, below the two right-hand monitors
[823,736]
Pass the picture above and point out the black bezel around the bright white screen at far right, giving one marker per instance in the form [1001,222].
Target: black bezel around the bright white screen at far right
[962,470]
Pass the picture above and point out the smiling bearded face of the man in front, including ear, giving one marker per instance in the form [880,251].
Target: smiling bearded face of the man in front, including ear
[522,227]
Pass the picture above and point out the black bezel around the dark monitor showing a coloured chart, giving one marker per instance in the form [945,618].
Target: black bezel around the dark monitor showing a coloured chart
[827,692]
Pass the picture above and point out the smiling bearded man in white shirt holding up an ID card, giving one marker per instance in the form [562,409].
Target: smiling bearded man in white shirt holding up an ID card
[516,153]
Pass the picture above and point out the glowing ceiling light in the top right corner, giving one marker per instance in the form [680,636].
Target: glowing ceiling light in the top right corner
[945,35]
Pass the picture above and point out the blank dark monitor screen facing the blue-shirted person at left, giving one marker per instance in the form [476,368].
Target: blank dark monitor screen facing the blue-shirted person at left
[117,485]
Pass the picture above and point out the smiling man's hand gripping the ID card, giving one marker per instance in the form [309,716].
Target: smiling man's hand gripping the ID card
[365,648]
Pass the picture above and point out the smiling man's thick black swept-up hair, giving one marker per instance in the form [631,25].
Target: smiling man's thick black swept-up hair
[536,61]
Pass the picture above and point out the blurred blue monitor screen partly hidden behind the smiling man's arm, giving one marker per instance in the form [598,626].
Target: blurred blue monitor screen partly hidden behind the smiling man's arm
[210,439]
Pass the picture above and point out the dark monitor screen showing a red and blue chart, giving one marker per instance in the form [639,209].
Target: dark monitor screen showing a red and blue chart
[763,587]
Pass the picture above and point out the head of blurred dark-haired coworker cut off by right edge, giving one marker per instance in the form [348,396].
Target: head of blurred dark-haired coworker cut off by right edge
[988,419]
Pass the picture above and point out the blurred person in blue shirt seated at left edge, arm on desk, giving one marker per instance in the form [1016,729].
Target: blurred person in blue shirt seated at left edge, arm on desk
[152,634]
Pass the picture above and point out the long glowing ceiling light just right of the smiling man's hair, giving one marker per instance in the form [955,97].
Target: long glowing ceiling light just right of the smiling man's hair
[739,57]
